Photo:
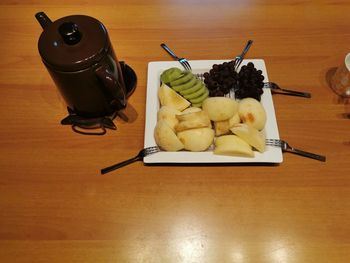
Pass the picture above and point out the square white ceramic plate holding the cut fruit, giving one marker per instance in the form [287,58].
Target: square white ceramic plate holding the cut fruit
[271,155]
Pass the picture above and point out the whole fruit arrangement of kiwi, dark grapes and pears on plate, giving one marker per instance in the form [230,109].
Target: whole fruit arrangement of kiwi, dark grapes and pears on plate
[196,116]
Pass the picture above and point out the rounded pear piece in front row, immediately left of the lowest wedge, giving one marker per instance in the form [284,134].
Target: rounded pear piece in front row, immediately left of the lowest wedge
[197,140]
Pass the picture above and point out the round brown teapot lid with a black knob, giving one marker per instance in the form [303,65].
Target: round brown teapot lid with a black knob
[73,43]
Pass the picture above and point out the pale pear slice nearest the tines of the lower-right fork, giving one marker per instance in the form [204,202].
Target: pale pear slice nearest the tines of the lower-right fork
[251,135]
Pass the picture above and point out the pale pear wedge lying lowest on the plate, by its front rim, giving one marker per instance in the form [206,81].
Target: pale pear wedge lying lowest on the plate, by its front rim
[232,145]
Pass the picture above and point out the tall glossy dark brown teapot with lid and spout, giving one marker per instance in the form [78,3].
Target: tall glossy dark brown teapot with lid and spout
[78,54]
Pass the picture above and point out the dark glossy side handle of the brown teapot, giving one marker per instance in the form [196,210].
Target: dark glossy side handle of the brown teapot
[112,87]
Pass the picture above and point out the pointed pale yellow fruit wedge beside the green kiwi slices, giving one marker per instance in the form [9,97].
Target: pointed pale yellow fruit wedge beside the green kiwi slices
[169,97]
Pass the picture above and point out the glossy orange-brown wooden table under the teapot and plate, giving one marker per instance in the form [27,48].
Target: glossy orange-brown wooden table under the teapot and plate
[55,208]
